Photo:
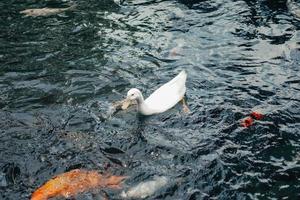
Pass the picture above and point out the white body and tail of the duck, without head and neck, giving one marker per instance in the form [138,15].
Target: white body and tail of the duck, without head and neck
[169,94]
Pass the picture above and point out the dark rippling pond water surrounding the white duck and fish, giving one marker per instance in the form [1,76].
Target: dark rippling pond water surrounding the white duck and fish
[59,75]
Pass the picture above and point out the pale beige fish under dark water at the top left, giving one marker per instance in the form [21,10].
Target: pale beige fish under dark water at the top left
[45,11]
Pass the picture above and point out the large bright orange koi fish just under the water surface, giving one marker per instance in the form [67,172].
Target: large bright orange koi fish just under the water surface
[71,183]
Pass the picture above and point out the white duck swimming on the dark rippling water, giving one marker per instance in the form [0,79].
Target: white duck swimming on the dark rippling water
[162,99]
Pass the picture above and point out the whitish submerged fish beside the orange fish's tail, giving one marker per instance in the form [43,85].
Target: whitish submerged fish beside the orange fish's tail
[146,189]
